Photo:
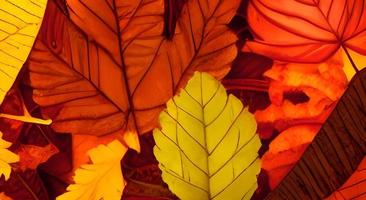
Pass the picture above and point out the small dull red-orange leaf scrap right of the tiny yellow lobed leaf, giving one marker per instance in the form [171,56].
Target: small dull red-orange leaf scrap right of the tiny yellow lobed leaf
[31,155]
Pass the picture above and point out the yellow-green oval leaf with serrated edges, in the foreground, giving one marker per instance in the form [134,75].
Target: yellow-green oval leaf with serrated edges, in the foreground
[207,146]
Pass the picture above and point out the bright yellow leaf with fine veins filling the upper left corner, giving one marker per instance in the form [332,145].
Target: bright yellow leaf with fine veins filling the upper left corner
[19,25]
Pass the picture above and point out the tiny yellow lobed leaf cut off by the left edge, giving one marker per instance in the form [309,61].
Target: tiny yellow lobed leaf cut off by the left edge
[6,157]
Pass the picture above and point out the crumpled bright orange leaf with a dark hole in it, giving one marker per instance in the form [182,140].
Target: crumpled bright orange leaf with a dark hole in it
[322,83]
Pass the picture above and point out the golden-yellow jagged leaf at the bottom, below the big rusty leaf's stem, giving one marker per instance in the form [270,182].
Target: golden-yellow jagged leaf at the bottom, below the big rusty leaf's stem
[102,179]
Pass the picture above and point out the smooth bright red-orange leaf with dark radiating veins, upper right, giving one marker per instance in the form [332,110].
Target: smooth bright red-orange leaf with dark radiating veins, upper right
[306,30]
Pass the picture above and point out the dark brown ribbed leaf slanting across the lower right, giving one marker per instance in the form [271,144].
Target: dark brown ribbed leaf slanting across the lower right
[336,151]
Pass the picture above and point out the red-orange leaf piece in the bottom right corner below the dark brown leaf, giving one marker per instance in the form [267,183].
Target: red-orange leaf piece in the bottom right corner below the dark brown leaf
[354,187]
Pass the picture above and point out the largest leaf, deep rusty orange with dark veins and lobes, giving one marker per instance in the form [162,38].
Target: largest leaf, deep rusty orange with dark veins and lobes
[110,60]
